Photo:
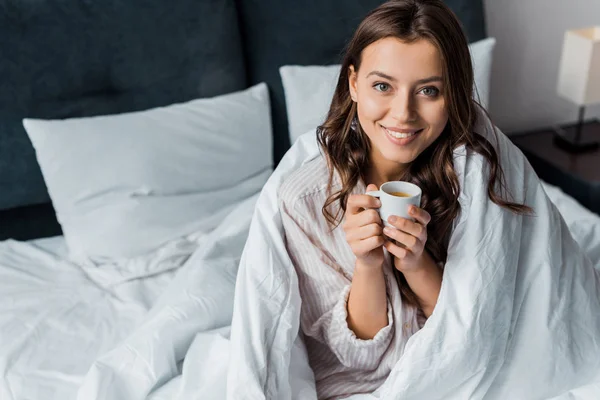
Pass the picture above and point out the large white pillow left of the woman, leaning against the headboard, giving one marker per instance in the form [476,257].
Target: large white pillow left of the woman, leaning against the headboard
[123,185]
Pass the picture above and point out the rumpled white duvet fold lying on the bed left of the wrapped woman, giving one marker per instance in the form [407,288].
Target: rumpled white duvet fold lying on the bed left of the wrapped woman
[191,317]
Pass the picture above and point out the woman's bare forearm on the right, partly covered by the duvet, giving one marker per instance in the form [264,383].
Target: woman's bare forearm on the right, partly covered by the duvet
[425,281]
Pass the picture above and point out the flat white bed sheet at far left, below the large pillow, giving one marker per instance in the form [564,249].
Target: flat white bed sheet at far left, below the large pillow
[56,317]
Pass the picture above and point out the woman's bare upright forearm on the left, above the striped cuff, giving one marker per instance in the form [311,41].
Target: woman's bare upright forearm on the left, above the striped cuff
[367,302]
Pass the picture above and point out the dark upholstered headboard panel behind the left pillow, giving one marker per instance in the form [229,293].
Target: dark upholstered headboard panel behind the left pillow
[67,58]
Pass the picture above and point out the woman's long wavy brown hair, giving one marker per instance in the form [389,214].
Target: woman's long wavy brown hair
[347,150]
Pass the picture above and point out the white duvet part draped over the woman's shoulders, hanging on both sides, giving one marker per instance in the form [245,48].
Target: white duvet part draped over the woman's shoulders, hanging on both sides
[518,315]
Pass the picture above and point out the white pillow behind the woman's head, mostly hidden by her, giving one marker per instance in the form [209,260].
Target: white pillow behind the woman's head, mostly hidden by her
[309,89]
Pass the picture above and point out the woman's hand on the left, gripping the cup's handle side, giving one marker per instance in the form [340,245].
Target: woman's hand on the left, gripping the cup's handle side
[363,228]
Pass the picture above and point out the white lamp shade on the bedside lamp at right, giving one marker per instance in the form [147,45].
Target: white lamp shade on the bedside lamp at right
[579,73]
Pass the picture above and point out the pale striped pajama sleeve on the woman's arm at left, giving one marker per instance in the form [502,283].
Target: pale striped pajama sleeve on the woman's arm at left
[325,290]
